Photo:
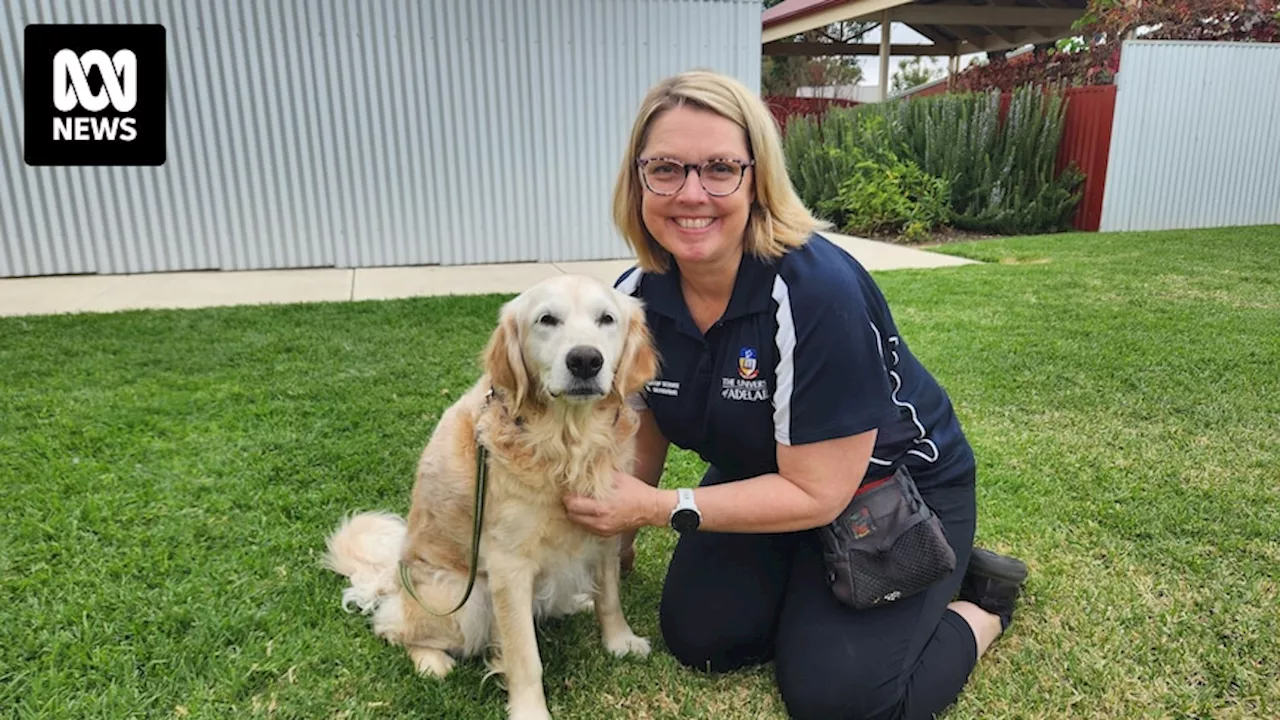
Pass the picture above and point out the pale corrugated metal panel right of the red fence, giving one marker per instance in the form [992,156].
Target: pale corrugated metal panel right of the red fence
[1196,140]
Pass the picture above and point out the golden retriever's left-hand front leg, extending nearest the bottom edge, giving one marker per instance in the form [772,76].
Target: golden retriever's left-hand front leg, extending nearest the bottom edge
[513,586]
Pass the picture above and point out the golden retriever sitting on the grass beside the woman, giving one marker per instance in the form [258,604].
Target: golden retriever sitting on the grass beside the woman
[551,409]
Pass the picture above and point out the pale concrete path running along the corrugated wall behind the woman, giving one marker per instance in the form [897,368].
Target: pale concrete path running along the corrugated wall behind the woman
[106,294]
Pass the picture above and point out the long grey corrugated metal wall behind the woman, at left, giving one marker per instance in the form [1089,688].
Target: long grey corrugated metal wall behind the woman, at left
[349,134]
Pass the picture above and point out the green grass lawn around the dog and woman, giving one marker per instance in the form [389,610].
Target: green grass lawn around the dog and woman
[167,481]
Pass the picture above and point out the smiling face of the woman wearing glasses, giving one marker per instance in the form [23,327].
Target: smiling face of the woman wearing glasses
[696,227]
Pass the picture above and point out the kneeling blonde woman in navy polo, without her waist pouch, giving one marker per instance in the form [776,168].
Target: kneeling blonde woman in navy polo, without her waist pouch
[784,370]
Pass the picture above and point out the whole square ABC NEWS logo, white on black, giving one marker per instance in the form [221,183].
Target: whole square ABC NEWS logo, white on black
[95,95]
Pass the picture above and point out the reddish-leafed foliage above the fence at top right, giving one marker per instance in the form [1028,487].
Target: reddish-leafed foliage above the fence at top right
[1107,24]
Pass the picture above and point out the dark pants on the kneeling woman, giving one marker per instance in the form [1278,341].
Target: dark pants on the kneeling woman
[738,600]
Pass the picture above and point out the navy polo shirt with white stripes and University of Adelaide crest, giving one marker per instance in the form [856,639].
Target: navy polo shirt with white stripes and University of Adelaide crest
[806,352]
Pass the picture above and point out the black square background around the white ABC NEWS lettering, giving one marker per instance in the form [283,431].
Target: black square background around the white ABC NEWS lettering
[44,42]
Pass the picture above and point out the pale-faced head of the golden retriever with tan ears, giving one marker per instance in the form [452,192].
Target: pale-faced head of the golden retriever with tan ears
[570,339]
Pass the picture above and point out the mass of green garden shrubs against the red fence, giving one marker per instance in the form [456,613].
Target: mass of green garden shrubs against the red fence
[998,176]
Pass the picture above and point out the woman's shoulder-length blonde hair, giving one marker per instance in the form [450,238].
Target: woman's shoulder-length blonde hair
[779,220]
